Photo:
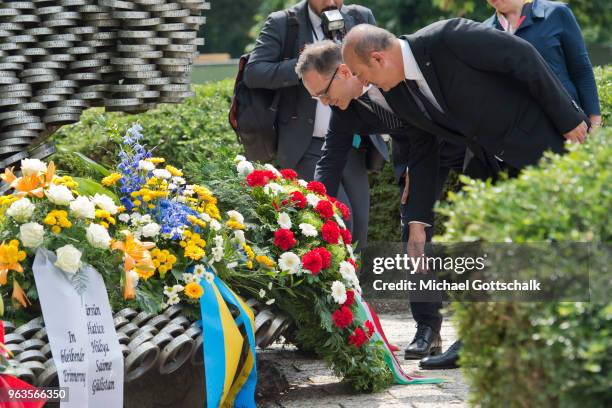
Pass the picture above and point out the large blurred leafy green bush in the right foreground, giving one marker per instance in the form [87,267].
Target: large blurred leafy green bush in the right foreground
[541,354]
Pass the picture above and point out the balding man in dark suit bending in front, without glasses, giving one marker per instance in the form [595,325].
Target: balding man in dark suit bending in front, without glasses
[460,81]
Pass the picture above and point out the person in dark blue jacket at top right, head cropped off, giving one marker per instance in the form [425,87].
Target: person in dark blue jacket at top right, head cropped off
[553,30]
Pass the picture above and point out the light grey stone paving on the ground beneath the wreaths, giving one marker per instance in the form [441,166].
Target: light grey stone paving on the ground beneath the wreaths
[313,385]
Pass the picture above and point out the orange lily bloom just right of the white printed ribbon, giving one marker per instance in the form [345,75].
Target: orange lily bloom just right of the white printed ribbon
[136,256]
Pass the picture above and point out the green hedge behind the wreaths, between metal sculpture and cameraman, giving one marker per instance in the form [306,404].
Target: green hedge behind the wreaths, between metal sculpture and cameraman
[196,131]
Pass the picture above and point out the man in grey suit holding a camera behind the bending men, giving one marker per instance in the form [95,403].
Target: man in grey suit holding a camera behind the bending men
[302,121]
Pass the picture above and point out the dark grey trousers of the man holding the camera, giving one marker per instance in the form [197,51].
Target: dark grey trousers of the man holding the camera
[354,189]
